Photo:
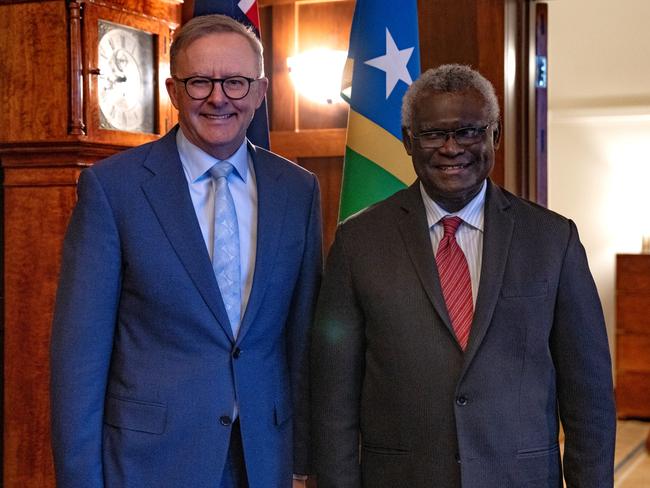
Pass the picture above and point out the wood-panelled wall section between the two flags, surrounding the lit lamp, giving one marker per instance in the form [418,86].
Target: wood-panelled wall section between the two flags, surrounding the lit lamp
[308,133]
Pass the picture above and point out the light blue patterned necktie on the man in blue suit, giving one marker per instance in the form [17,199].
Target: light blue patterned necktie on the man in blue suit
[225,251]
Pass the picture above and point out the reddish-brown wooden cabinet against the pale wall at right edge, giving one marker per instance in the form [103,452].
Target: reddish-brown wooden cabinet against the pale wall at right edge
[633,335]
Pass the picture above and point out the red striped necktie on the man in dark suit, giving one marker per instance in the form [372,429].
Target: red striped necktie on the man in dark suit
[455,281]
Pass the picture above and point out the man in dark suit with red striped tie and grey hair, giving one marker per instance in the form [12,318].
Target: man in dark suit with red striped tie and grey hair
[431,373]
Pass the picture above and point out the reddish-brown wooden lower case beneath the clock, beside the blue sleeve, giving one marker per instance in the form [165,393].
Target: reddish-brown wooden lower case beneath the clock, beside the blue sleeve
[37,200]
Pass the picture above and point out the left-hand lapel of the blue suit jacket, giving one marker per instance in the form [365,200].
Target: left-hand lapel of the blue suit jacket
[167,194]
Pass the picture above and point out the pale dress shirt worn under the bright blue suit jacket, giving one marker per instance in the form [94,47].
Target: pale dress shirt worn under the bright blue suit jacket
[243,187]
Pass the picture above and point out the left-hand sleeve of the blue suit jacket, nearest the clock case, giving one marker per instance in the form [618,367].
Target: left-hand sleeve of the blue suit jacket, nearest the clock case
[82,336]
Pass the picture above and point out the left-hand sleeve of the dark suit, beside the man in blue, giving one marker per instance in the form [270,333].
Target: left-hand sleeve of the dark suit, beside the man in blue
[337,364]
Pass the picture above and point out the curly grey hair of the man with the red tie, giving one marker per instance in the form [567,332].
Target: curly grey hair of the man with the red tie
[449,78]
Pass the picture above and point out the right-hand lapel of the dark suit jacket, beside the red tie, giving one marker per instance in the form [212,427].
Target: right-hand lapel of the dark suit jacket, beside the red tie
[497,235]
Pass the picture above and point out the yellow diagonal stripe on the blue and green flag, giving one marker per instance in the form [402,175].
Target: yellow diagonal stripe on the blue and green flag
[380,146]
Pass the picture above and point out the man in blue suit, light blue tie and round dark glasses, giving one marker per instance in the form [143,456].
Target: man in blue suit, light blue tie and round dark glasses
[179,344]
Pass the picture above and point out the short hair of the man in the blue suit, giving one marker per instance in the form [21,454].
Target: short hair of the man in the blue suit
[204,25]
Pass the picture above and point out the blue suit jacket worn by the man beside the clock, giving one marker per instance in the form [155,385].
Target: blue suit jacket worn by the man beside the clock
[143,361]
